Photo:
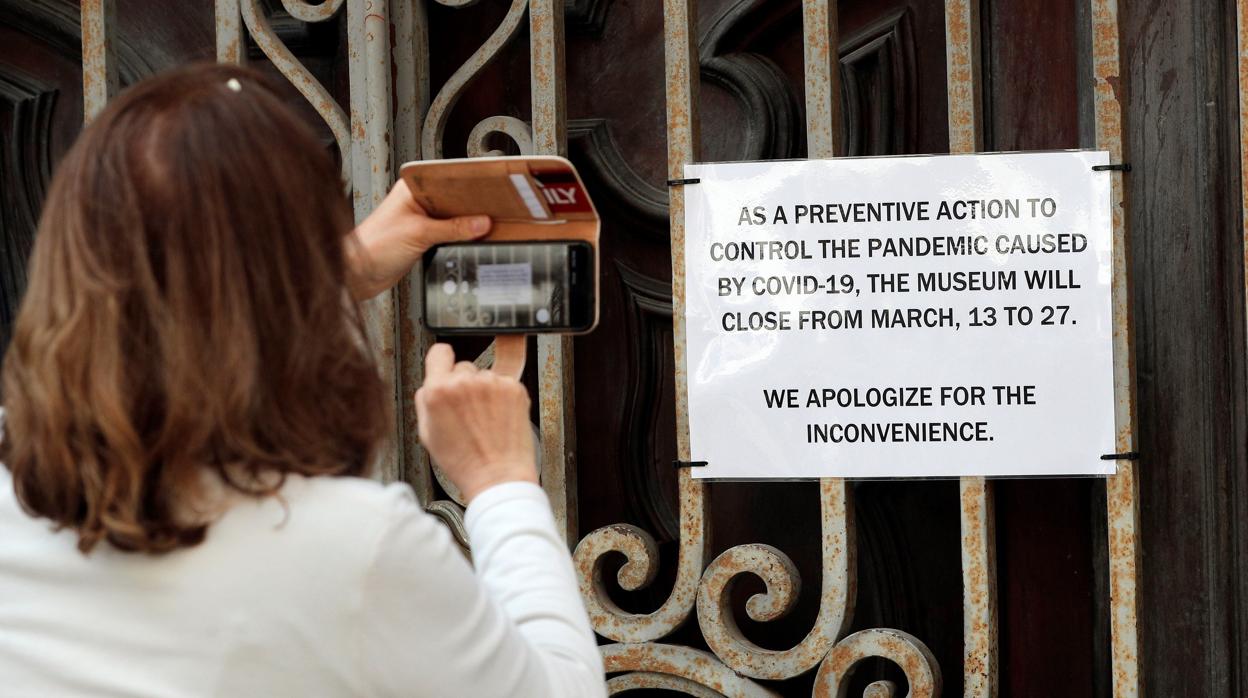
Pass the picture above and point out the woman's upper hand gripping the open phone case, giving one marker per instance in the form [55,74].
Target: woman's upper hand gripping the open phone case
[394,238]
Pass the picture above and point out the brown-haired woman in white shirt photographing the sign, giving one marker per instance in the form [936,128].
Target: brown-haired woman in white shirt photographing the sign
[189,401]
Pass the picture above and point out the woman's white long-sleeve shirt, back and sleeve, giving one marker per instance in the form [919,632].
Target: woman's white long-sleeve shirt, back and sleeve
[339,587]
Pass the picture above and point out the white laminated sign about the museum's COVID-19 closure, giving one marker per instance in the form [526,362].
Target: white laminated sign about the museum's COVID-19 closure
[900,317]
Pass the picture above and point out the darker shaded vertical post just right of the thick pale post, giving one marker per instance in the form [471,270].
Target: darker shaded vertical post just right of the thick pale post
[411,57]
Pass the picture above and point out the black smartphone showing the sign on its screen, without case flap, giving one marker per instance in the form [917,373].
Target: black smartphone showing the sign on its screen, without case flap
[511,288]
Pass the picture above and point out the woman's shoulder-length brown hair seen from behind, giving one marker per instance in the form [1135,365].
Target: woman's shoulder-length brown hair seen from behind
[187,310]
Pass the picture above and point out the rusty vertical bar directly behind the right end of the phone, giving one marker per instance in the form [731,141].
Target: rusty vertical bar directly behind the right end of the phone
[556,388]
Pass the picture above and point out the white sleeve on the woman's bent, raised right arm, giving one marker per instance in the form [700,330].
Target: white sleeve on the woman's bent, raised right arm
[517,627]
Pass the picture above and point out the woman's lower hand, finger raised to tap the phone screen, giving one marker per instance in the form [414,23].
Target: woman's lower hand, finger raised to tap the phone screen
[475,424]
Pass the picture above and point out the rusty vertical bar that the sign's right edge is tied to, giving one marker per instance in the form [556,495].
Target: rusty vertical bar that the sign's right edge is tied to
[1123,490]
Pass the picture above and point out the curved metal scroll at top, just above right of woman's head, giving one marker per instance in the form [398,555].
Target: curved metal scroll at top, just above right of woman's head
[290,67]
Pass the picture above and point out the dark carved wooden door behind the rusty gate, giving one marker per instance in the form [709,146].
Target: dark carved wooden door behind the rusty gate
[1187,265]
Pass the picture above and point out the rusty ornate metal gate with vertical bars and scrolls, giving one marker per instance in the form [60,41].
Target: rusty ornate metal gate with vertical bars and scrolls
[394,118]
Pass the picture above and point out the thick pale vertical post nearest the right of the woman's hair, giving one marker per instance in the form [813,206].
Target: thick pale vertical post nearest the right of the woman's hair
[369,72]
